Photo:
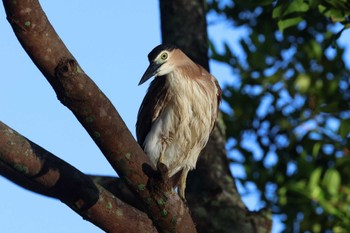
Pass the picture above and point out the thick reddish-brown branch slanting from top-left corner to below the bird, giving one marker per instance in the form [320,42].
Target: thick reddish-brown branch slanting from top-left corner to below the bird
[94,111]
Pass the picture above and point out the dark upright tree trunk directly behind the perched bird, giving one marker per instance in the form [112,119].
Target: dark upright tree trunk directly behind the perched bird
[212,196]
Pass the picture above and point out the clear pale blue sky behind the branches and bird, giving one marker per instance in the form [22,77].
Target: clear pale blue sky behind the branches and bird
[111,42]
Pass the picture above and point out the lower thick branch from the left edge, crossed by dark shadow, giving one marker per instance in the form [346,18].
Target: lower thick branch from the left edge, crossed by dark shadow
[36,169]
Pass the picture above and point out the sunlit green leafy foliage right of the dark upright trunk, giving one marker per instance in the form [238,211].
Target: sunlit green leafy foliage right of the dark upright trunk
[291,103]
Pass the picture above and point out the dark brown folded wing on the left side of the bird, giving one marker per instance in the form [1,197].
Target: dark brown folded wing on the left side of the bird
[151,107]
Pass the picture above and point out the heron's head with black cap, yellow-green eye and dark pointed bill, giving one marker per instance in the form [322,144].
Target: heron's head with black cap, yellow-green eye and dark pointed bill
[160,62]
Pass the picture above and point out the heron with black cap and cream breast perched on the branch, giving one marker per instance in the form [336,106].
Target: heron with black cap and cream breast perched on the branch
[178,112]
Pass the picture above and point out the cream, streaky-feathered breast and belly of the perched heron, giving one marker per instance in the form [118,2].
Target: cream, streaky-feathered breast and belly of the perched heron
[183,127]
